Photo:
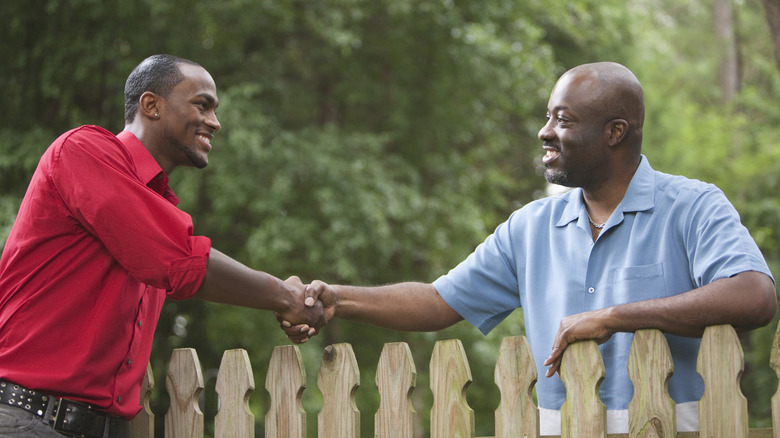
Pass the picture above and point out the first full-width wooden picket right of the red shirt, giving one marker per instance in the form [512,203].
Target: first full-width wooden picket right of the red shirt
[184,382]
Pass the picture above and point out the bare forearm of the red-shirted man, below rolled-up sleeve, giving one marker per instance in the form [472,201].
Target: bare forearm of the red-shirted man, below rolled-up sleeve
[230,282]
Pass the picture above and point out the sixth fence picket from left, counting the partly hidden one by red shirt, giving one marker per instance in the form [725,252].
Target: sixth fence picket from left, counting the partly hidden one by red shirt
[396,377]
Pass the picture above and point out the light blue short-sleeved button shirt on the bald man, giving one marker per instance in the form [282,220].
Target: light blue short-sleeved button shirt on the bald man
[669,235]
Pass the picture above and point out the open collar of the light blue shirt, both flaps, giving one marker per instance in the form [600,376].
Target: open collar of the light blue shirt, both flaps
[640,195]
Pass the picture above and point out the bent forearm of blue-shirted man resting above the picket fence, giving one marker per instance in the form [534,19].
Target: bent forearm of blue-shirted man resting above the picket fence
[746,301]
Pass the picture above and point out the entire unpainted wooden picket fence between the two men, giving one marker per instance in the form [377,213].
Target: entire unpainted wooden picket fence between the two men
[722,409]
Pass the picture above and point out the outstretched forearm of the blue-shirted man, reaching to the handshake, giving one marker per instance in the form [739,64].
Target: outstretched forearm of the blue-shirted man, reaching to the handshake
[402,306]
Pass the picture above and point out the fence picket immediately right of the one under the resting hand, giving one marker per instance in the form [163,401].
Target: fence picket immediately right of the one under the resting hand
[651,412]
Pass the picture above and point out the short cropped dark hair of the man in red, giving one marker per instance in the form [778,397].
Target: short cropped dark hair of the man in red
[158,74]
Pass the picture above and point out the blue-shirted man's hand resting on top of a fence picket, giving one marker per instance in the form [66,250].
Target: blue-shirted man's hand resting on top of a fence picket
[582,326]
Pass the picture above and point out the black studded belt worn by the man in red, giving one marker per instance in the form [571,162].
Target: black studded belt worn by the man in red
[64,416]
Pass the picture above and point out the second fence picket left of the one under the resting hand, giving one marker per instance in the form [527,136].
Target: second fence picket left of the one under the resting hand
[450,375]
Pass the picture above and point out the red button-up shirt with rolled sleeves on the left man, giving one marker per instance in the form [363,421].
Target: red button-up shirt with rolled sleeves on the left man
[97,246]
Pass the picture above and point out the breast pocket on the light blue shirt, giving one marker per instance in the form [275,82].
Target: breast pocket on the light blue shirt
[637,283]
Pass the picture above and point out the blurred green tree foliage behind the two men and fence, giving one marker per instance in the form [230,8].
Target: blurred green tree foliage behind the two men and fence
[375,141]
